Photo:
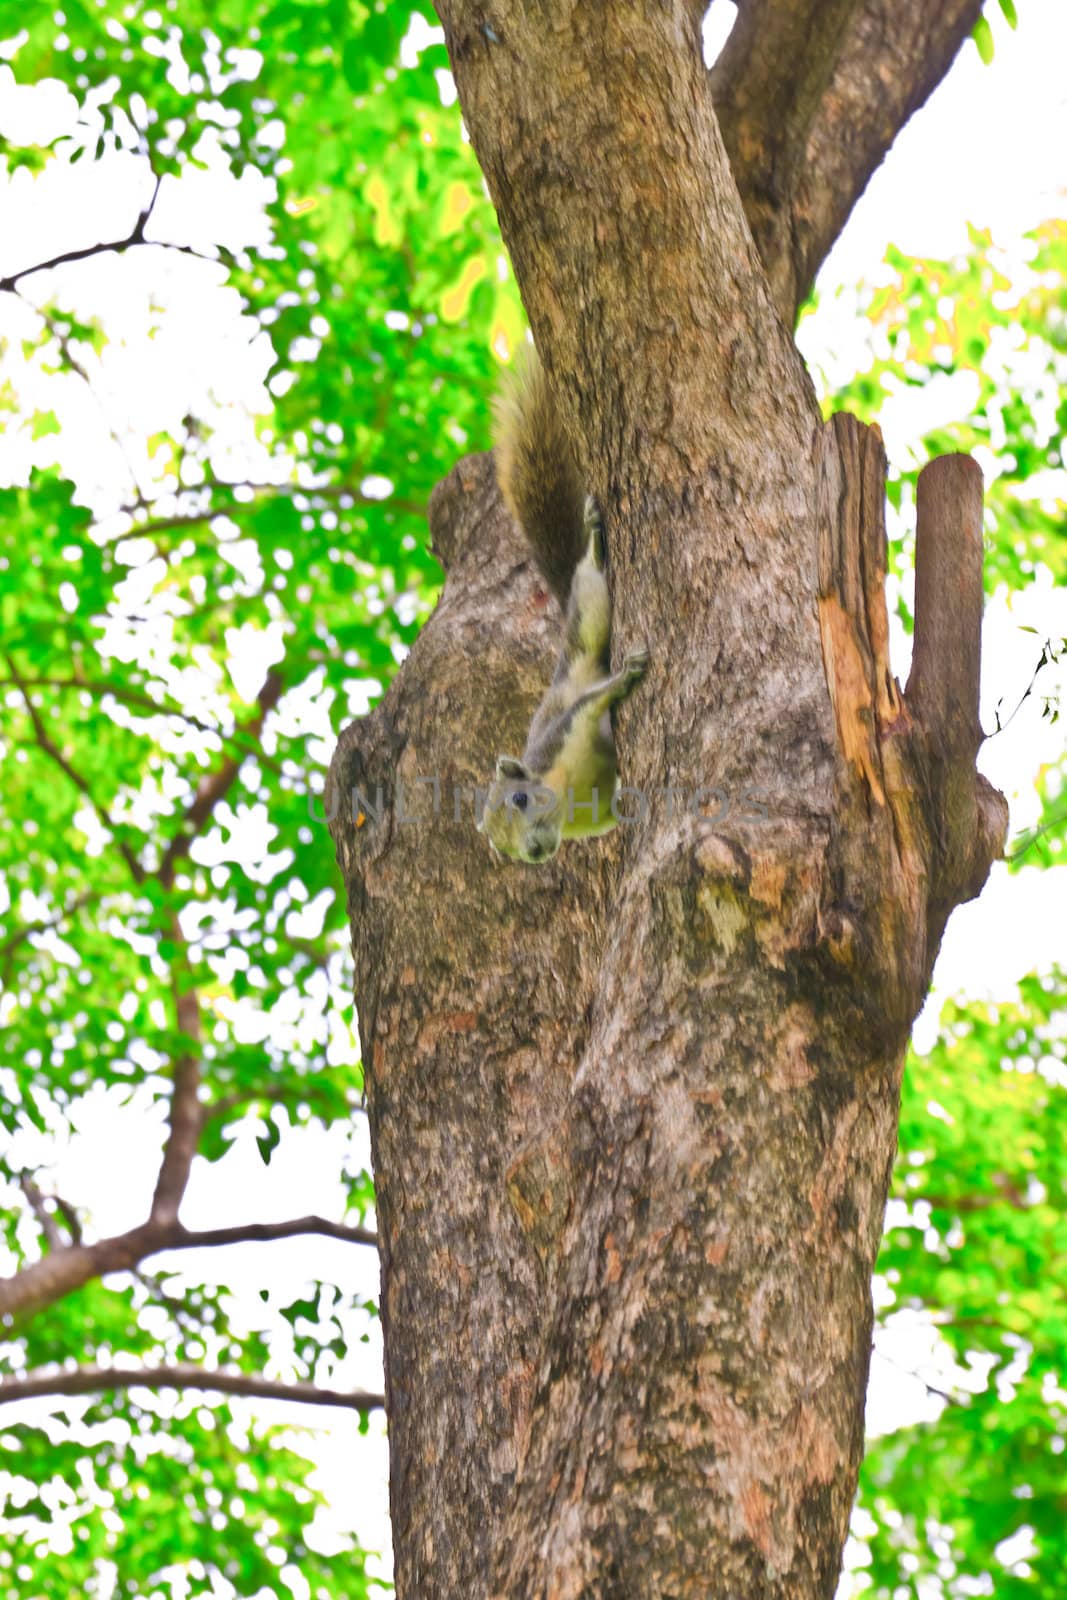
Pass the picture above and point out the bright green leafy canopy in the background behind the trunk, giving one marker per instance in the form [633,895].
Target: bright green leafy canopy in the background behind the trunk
[185,623]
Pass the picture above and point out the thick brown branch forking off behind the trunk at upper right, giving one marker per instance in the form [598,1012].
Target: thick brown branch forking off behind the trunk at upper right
[810,97]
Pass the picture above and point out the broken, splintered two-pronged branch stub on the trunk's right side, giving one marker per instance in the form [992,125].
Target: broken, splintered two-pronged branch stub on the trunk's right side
[919,828]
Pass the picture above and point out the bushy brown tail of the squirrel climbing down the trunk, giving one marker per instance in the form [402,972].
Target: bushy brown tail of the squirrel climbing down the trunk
[538,473]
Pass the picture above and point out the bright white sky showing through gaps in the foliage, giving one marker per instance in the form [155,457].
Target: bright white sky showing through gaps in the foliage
[989,150]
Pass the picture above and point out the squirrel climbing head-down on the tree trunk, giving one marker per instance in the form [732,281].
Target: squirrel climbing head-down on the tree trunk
[564,786]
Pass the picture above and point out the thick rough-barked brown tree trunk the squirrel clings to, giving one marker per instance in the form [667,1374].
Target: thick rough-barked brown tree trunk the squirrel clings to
[634,1114]
